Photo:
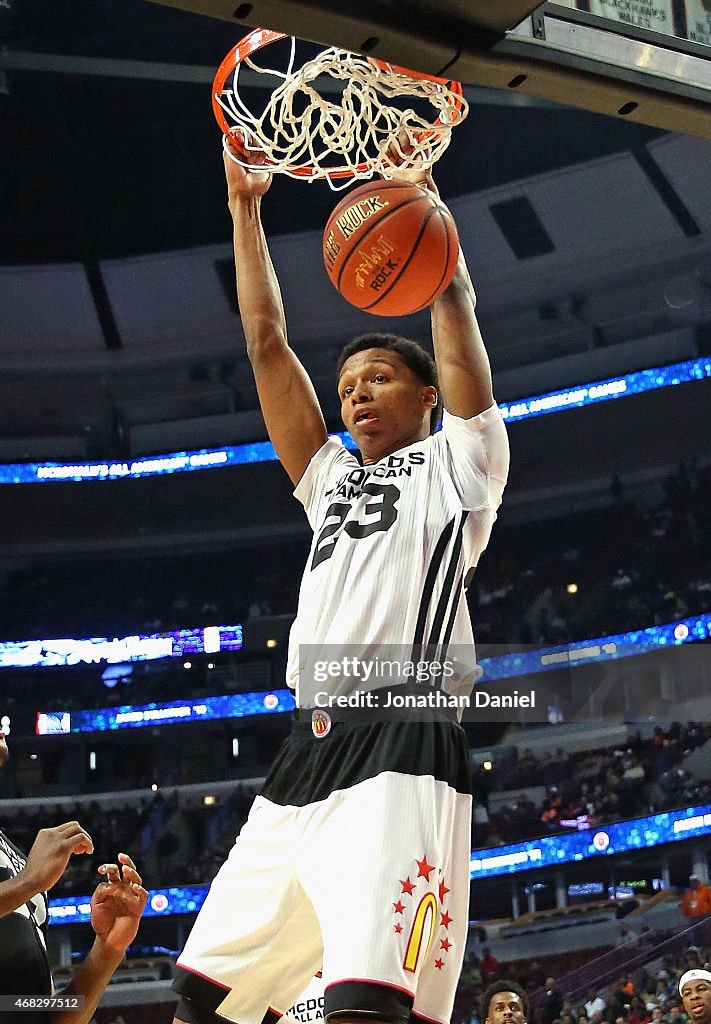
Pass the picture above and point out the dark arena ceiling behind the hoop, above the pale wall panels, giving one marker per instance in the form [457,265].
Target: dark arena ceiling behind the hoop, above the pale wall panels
[110,148]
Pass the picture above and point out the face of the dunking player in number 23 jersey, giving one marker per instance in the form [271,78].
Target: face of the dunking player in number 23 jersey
[385,406]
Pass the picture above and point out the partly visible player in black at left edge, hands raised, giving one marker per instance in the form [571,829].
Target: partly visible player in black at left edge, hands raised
[116,909]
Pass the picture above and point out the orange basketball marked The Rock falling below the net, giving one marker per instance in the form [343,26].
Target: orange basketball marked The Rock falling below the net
[391,248]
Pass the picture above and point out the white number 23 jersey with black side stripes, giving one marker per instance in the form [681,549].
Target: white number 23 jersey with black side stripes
[394,543]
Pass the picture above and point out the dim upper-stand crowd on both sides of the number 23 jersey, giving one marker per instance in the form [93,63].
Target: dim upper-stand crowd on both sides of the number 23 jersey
[617,569]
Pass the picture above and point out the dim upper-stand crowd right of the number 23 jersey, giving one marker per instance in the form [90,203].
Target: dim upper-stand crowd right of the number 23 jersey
[618,569]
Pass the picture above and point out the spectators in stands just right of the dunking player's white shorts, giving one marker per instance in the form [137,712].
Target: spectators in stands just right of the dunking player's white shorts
[590,788]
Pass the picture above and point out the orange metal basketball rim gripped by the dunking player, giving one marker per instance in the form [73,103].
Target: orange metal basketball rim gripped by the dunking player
[257,40]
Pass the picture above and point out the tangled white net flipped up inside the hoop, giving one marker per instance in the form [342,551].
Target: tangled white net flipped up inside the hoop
[352,136]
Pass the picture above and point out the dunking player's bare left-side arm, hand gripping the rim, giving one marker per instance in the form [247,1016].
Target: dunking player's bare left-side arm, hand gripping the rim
[289,404]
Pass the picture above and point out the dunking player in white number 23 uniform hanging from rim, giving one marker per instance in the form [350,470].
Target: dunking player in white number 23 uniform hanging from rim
[356,857]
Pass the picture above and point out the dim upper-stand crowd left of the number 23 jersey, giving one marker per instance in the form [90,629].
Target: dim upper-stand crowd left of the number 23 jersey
[111,596]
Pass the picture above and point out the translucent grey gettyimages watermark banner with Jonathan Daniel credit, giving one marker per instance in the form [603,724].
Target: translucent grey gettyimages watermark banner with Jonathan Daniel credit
[614,681]
